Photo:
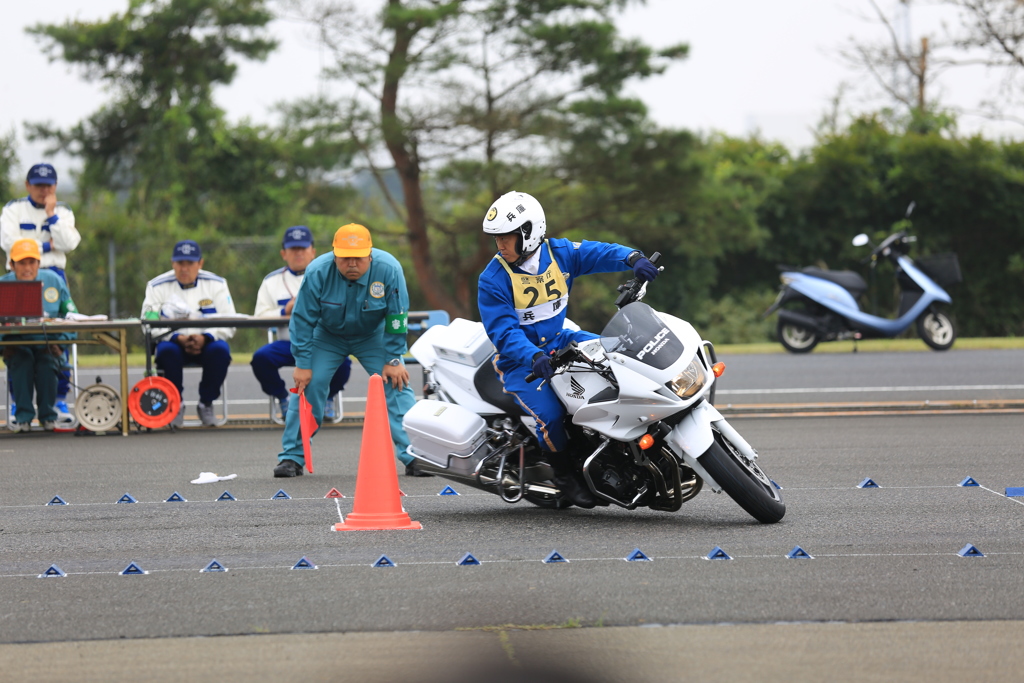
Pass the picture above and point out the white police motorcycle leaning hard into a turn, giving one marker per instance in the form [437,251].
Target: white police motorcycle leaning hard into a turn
[639,417]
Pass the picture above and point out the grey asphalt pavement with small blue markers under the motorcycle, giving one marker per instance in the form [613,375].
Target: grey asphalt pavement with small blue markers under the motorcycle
[884,594]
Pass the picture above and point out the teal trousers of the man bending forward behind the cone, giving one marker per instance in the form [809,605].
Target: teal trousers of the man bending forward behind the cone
[370,354]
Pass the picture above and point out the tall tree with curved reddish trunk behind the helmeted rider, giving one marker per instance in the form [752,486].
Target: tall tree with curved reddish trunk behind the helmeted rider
[478,96]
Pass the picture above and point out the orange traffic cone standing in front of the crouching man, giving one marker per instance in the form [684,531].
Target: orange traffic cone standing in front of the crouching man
[378,504]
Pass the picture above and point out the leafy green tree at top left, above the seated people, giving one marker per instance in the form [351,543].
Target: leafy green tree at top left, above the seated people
[162,141]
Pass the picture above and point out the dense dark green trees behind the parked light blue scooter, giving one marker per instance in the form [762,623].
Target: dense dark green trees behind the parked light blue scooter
[969,197]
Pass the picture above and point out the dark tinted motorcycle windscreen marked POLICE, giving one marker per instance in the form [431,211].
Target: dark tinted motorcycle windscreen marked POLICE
[637,332]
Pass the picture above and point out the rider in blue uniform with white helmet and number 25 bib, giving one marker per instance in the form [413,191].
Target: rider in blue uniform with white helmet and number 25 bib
[523,294]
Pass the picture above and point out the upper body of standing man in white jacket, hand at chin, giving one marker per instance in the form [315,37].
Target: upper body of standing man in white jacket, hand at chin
[42,219]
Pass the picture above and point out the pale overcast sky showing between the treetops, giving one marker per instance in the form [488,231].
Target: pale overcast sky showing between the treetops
[754,66]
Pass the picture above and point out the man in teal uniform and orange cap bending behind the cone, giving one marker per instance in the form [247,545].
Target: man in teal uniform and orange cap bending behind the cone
[353,303]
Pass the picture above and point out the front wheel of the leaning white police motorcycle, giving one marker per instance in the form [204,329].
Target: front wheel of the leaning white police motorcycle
[744,481]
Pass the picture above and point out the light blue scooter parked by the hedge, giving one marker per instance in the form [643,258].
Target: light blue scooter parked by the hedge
[822,306]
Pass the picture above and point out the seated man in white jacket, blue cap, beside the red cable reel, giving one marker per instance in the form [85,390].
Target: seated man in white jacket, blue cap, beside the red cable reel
[189,292]
